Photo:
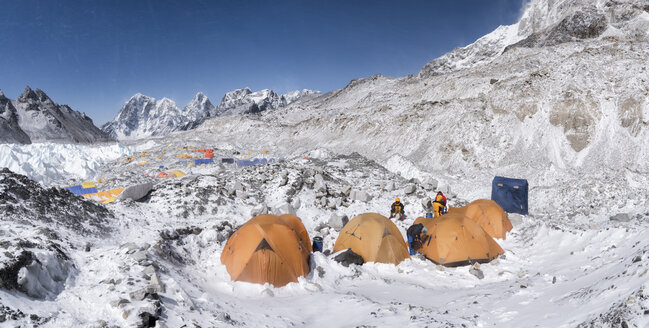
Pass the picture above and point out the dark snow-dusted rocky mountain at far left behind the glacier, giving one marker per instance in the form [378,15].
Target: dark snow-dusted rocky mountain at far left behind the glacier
[34,117]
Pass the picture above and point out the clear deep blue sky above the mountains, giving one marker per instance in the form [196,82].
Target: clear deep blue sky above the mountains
[94,55]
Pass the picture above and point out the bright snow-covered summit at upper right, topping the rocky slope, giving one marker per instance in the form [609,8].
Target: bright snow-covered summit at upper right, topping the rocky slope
[548,23]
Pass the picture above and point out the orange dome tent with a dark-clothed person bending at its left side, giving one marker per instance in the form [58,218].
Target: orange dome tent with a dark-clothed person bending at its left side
[454,239]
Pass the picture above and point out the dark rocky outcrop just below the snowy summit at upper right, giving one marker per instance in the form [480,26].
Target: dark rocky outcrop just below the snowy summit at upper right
[584,24]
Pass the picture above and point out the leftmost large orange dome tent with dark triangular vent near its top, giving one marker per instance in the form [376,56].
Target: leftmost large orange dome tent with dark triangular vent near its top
[268,249]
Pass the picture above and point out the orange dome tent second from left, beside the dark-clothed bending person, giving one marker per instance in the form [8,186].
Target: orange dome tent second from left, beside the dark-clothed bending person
[374,237]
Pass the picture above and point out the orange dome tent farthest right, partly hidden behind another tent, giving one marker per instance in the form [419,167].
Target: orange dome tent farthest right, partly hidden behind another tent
[489,215]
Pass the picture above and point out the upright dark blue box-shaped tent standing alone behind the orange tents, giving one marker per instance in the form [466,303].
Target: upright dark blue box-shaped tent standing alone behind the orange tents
[510,194]
